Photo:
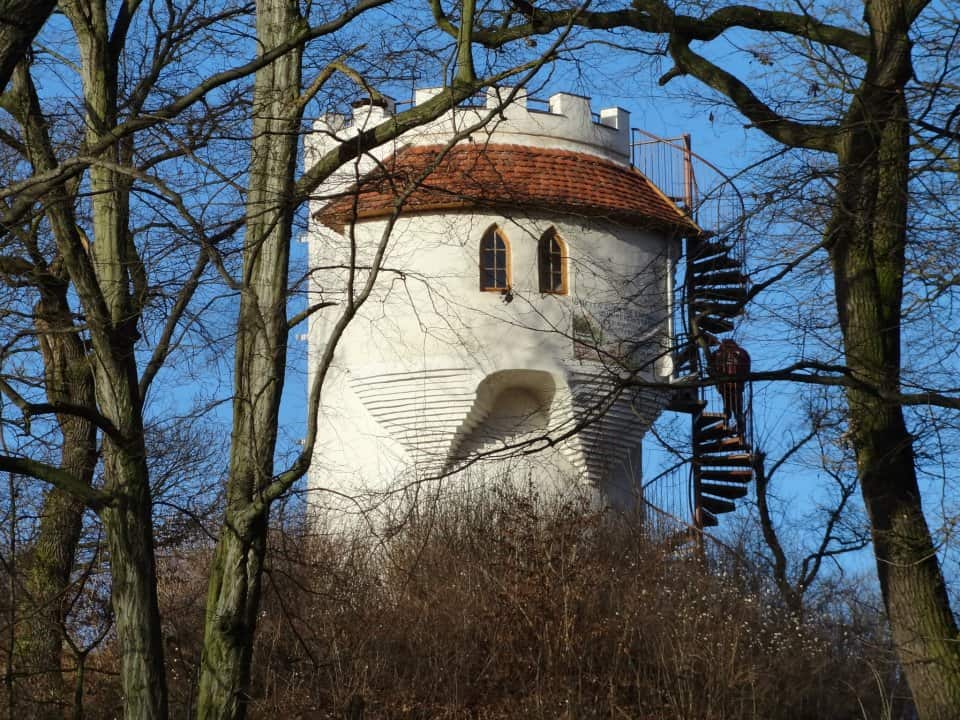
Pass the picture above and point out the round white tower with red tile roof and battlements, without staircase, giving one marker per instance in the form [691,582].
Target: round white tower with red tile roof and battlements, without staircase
[526,275]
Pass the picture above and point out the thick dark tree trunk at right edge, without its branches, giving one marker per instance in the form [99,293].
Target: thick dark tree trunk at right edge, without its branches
[867,240]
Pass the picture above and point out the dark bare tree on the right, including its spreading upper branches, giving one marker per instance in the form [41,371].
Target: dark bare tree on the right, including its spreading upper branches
[862,129]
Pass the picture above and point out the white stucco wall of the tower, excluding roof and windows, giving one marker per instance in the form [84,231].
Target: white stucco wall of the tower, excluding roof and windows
[429,373]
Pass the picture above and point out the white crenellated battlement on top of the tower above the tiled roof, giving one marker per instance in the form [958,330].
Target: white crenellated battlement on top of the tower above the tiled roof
[564,121]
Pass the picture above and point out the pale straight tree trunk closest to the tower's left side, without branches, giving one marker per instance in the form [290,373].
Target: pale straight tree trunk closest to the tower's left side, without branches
[235,580]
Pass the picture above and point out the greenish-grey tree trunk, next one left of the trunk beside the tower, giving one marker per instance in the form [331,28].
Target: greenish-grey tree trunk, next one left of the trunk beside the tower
[113,310]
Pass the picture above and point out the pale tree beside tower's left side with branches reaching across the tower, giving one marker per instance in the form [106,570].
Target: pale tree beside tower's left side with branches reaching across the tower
[261,343]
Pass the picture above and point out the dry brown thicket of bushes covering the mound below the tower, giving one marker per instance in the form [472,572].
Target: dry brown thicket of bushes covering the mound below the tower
[512,607]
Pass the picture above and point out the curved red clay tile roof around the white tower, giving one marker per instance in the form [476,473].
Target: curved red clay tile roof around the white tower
[482,175]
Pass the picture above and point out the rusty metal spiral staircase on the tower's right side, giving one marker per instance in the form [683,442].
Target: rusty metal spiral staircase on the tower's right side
[712,296]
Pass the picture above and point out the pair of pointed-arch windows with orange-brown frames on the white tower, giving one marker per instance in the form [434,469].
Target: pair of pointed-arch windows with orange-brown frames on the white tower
[495,262]
